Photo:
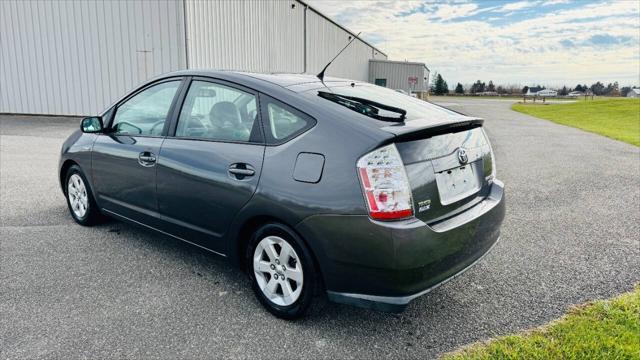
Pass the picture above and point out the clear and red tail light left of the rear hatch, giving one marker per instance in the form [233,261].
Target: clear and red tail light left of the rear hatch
[385,184]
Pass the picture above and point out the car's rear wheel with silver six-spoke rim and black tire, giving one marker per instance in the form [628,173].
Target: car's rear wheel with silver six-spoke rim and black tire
[273,251]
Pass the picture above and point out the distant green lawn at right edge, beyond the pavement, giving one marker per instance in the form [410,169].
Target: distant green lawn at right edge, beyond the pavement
[617,118]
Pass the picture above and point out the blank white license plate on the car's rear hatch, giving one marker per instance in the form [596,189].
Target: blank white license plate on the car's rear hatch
[456,184]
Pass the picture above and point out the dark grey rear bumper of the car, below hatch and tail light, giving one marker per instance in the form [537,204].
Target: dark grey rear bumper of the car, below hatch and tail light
[385,265]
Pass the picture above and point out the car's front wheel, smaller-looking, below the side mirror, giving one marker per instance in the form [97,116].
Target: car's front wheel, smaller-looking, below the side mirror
[80,201]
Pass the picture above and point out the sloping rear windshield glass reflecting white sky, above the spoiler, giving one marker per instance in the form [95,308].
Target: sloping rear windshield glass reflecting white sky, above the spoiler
[416,108]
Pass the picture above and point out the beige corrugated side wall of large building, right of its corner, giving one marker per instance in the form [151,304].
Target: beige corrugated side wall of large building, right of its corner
[268,36]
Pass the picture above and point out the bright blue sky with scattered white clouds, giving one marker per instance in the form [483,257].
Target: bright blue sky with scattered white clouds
[547,42]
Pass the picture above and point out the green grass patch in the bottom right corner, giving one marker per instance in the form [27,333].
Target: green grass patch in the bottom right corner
[604,329]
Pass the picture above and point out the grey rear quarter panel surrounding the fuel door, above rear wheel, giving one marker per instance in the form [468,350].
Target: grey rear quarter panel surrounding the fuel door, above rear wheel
[281,197]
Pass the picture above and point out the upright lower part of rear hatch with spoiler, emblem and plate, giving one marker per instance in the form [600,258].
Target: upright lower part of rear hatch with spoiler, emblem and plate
[448,164]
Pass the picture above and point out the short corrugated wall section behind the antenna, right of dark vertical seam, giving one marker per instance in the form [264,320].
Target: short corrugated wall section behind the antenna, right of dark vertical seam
[325,40]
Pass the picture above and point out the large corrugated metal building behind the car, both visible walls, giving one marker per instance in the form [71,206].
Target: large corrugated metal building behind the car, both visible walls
[76,57]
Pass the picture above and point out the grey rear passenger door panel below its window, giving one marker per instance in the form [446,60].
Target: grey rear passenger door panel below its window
[197,196]
